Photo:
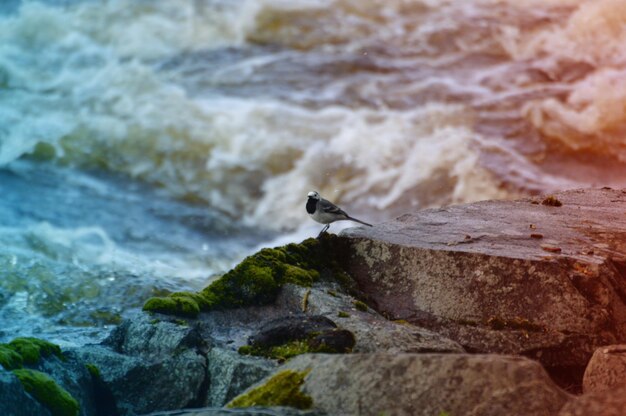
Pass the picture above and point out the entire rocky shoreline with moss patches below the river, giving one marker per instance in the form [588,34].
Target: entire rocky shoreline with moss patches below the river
[489,308]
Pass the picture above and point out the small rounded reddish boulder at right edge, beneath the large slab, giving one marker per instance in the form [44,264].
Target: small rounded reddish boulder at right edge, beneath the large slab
[606,369]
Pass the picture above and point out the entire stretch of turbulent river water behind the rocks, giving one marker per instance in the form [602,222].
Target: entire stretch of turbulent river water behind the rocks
[146,145]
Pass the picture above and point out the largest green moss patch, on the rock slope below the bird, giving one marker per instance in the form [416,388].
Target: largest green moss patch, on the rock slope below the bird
[257,280]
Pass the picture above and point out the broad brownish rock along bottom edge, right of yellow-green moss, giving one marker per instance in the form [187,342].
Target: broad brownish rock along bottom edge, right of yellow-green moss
[428,384]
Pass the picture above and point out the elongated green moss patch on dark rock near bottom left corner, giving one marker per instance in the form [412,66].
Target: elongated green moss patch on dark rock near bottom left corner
[46,391]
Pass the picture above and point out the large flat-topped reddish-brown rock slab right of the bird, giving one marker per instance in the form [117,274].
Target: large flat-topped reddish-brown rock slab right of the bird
[479,273]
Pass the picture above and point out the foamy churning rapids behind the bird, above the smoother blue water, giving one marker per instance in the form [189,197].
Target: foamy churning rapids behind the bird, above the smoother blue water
[383,106]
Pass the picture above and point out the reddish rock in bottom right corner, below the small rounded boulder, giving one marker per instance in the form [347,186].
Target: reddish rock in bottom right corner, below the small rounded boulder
[598,403]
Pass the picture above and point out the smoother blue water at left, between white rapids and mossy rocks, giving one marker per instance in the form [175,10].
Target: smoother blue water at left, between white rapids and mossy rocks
[82,249]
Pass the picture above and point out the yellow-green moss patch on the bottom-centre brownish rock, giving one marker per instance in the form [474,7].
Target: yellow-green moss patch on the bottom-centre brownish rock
[281,390]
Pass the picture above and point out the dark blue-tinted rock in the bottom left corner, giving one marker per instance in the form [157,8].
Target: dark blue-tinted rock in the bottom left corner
[14,401]
